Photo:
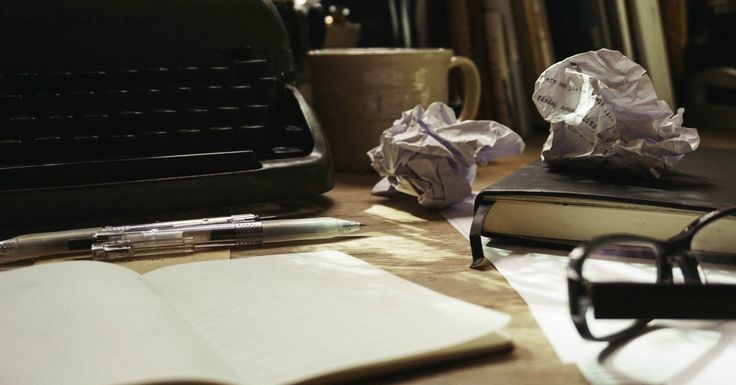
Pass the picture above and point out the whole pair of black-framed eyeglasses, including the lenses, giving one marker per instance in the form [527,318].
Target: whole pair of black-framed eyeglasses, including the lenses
[689,276]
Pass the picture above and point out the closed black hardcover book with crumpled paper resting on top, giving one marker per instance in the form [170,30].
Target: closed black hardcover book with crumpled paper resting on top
[537,204]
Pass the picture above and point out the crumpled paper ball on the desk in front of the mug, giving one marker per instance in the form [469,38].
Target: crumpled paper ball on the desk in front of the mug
[430,155]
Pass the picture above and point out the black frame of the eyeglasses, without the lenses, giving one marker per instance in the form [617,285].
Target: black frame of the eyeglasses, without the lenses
[642,302]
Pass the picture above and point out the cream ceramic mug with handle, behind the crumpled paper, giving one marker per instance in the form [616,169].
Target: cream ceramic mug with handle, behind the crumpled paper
[358,93]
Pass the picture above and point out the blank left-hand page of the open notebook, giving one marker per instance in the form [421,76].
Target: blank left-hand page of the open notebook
[93,323]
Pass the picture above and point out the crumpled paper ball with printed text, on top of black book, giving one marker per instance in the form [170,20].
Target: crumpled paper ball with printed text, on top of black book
[604,113]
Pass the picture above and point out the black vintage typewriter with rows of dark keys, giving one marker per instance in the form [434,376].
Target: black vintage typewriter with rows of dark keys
[112,109]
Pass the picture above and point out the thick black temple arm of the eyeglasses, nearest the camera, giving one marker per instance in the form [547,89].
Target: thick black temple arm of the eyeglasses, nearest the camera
[674,301]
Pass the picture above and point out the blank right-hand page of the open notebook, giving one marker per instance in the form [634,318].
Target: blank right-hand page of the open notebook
[284,318]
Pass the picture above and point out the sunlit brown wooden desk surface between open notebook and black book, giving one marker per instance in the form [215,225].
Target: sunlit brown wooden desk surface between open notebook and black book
[420,245]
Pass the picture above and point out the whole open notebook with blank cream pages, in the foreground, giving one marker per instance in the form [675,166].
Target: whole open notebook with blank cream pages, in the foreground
[282,319]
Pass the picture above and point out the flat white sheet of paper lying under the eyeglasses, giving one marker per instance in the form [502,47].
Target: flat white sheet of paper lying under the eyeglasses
[674,352]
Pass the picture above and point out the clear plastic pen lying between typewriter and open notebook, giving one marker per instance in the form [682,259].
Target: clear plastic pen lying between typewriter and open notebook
[176,237]
